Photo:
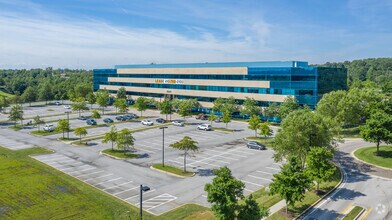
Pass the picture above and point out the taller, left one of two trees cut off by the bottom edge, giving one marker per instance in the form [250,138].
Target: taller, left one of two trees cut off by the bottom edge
[223,193]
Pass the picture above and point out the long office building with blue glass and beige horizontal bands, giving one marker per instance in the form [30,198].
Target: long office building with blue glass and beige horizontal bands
[266,82]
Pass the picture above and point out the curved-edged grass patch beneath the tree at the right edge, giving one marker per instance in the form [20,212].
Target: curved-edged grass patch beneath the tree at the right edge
[367,154]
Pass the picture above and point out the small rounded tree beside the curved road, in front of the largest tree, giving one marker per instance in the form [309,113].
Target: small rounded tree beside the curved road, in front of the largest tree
[319,164]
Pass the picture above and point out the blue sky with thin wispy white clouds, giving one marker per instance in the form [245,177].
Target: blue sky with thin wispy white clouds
[88,34]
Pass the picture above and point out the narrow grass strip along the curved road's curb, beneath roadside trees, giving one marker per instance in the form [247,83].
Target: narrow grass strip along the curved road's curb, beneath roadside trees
[310,198]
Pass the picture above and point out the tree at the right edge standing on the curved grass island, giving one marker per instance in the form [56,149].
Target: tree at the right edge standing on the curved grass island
[378,128]
